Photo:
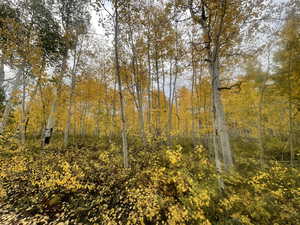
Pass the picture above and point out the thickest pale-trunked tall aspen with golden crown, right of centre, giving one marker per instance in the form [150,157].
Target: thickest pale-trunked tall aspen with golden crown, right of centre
[221,22]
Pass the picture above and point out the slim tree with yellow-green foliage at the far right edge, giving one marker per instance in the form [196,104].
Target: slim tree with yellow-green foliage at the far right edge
[288,71]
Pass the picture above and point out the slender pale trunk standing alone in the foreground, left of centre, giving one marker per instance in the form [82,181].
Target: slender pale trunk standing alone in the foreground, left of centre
[118,76]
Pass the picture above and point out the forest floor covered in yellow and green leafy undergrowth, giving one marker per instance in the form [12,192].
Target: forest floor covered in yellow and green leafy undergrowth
[86,184]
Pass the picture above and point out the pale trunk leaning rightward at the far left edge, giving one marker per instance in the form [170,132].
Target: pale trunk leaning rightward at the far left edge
[9,103]
